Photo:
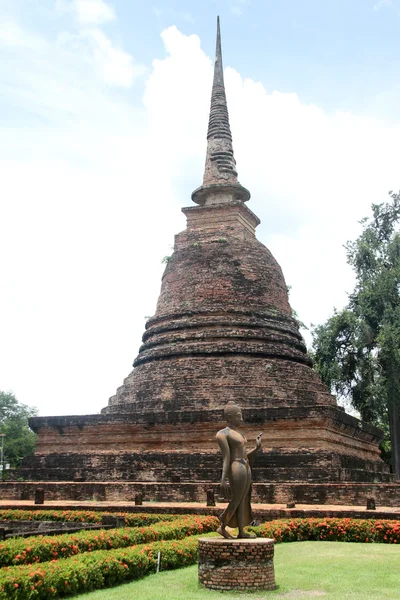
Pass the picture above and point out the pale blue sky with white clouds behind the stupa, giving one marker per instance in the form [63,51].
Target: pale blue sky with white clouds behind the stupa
[103,119]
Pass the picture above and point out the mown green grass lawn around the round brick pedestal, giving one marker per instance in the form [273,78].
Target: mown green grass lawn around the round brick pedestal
[303,570]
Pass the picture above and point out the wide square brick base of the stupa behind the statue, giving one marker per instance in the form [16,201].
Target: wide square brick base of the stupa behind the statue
[320,444]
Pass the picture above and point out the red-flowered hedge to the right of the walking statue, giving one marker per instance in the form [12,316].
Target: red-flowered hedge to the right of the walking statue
[339,530]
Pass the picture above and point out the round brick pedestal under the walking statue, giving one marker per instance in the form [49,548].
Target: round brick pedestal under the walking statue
[244,564]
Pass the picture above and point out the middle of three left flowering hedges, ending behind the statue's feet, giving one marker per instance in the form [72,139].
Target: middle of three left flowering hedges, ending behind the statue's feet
[40,549]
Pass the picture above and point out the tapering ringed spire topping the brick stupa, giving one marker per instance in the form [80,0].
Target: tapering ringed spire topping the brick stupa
[220,183]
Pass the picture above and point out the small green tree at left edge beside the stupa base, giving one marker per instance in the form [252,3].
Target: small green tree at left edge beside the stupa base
[19,439]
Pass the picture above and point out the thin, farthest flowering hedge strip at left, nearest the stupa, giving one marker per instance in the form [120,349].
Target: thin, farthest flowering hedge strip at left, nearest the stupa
[81,516]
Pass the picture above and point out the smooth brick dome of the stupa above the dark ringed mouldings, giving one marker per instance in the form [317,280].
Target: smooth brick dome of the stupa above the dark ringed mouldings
[208,273]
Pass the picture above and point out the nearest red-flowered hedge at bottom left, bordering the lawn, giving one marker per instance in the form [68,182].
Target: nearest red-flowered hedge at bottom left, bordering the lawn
[97,570]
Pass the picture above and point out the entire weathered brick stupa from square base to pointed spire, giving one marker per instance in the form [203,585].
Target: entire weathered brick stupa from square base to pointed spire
[223,330]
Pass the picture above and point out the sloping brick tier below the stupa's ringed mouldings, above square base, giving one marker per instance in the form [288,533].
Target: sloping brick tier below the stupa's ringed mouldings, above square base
[202,383]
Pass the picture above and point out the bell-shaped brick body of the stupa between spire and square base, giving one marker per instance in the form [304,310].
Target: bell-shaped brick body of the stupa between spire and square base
[222,321]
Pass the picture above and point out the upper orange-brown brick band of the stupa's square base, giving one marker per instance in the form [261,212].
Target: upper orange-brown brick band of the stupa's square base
[288,431]
